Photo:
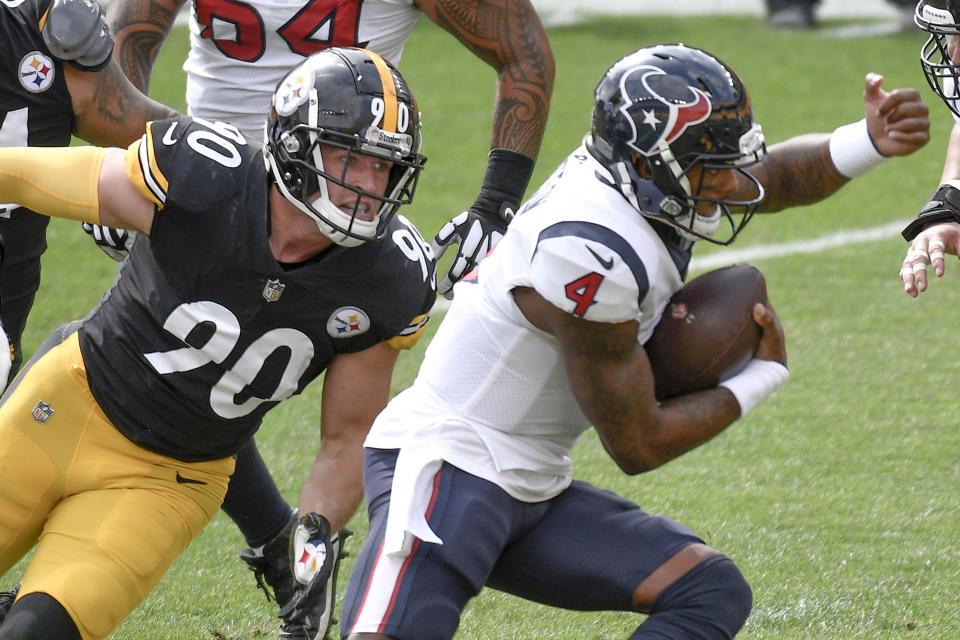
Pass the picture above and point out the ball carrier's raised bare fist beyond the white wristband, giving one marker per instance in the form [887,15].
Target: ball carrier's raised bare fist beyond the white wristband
[897,120]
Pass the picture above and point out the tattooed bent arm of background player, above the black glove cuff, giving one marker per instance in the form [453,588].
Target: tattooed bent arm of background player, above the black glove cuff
[507,35]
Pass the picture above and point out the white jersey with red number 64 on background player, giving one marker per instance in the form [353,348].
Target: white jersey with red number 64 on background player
[240,51]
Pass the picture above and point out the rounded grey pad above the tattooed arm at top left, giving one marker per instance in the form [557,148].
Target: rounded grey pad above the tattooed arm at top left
[76,31]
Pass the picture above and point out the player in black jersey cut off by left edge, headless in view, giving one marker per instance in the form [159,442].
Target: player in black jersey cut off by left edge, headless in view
[56,79]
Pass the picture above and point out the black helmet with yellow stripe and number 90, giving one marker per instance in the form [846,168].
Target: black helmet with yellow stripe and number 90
[353,99]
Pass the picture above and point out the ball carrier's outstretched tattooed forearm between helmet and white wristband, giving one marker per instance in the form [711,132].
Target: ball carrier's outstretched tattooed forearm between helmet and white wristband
[798,171]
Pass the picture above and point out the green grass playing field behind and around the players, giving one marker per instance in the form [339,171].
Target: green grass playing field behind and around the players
[838,497]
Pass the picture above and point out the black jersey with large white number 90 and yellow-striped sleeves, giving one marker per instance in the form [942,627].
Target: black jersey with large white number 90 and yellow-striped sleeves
[203,331]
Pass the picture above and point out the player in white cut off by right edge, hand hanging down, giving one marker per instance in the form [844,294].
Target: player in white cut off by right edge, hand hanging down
[936,230]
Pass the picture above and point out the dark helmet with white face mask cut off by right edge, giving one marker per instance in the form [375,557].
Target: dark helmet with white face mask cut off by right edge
[941,19]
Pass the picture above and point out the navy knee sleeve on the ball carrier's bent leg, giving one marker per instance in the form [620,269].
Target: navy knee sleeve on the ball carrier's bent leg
[712,600]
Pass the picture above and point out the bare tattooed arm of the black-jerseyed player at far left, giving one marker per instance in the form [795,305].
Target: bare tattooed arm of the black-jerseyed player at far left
[109,110]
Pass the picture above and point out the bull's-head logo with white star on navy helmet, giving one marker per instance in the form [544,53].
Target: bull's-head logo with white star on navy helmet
[663,106]
